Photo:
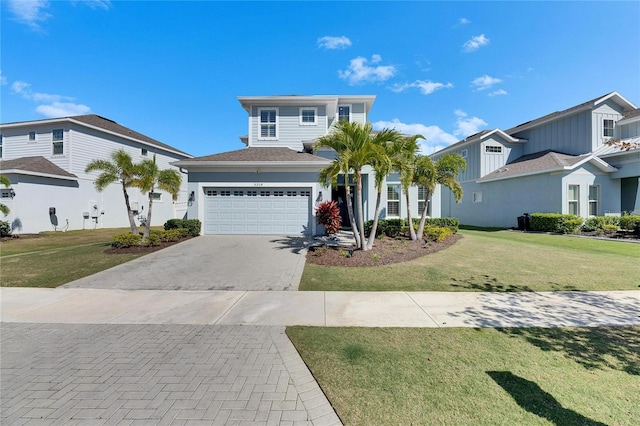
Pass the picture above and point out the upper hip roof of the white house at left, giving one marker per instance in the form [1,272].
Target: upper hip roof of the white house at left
[103,124]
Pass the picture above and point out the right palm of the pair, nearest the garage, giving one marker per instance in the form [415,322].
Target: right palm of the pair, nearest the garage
[149,177]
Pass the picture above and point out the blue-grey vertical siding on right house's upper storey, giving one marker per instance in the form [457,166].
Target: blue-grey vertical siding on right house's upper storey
[570,135]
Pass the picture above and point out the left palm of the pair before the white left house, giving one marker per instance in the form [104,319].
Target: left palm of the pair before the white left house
[119,169]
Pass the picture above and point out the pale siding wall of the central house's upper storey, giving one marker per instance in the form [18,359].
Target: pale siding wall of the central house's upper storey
[289,133]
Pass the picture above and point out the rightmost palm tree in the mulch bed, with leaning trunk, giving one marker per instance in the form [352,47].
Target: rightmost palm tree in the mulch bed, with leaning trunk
[443,172]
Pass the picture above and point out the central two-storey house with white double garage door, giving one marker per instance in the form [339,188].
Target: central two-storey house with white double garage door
[271,186]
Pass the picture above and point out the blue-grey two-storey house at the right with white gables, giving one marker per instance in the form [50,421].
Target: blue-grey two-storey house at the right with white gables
[558,163]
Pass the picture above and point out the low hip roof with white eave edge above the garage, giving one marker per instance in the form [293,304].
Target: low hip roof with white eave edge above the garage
[263,156]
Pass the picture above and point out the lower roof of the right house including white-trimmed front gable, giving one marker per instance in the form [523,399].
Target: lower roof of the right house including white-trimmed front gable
[544,162]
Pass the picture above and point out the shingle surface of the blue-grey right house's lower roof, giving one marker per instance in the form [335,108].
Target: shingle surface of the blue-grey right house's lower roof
[537,162]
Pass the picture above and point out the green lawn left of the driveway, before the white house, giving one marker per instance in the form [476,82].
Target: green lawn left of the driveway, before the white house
[57,258]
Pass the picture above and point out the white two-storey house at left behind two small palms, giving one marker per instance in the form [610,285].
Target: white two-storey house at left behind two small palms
[45,160]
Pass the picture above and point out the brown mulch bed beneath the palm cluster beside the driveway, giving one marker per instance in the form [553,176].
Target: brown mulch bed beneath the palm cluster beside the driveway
[385,251]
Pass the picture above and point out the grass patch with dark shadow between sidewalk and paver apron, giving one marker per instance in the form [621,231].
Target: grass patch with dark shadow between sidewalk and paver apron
[451,376]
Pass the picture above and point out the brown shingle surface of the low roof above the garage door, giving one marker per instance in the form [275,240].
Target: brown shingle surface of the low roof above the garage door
[260,154]
